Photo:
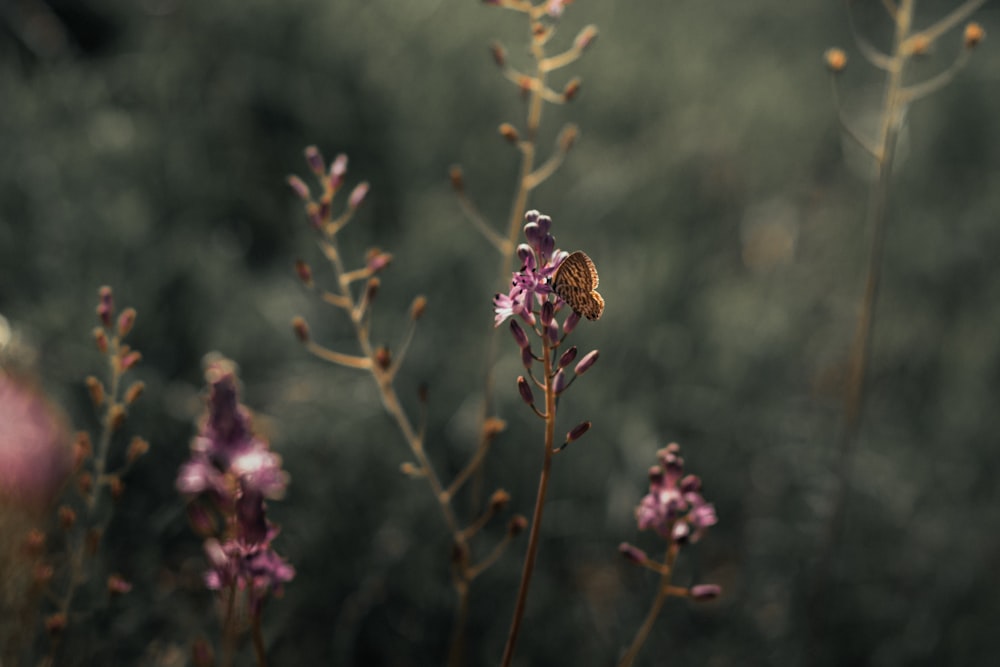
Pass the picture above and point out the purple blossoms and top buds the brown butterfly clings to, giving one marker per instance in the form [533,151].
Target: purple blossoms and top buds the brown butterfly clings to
[531,285]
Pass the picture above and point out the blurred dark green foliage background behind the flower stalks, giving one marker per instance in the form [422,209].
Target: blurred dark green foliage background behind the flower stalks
[145,146]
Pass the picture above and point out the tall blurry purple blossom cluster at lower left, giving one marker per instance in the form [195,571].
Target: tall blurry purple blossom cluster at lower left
[236,470]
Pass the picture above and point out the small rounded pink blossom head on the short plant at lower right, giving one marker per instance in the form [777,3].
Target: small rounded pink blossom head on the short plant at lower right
[674,506]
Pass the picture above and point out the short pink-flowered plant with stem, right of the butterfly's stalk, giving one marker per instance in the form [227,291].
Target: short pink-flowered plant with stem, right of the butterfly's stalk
[675,509]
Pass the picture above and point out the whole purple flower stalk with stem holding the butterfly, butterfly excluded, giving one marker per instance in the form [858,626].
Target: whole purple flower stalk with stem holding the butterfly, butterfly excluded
[533,301]
